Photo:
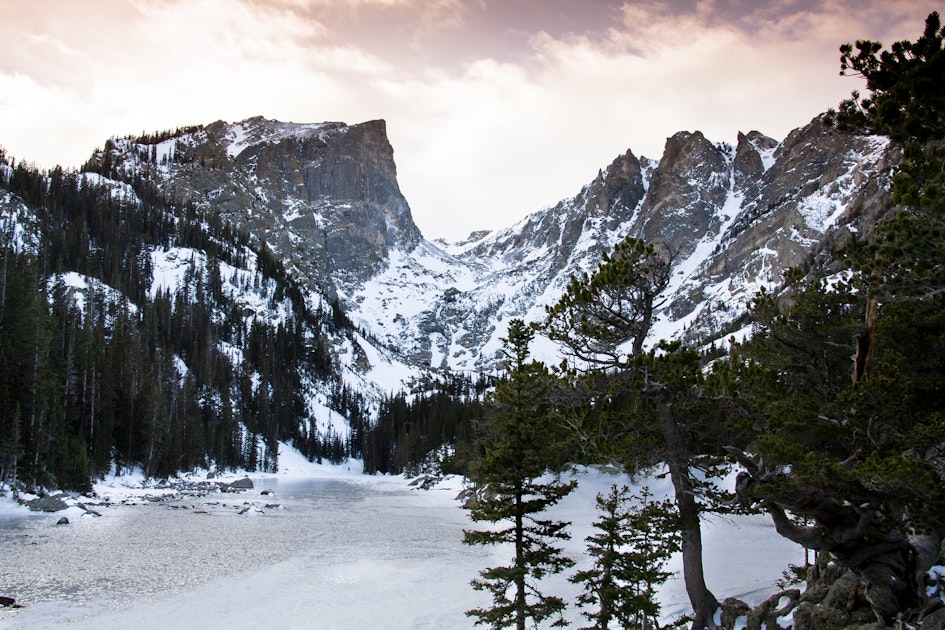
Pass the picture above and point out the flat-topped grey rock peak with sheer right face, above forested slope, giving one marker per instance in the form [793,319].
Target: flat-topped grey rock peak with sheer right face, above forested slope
[323,196]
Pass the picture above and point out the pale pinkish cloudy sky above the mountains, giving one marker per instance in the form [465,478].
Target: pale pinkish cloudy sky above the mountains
[495,108]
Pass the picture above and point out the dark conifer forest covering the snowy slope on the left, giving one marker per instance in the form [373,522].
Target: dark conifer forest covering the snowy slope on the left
[121,375]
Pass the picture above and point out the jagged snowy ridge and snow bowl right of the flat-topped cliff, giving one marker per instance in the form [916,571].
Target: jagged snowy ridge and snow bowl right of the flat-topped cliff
[733,217]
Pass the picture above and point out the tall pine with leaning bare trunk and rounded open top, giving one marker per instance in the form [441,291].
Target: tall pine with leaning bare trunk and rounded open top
[641,407]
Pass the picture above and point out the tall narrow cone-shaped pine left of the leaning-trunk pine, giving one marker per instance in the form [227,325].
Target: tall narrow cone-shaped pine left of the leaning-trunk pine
[519,444]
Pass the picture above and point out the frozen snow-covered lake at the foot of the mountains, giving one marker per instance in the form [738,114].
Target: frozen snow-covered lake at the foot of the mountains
[341,552]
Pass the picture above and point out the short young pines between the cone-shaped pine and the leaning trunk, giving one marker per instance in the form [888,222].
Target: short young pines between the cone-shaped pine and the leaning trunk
[629,554]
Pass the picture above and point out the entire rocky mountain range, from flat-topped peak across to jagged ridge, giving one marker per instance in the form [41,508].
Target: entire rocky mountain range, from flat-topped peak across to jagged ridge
[325,197]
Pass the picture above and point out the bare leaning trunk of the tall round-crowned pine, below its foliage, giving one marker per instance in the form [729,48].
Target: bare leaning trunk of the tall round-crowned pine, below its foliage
[704,603]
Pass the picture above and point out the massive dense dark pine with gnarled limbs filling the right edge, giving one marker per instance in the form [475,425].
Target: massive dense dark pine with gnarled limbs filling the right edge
[864,454]
